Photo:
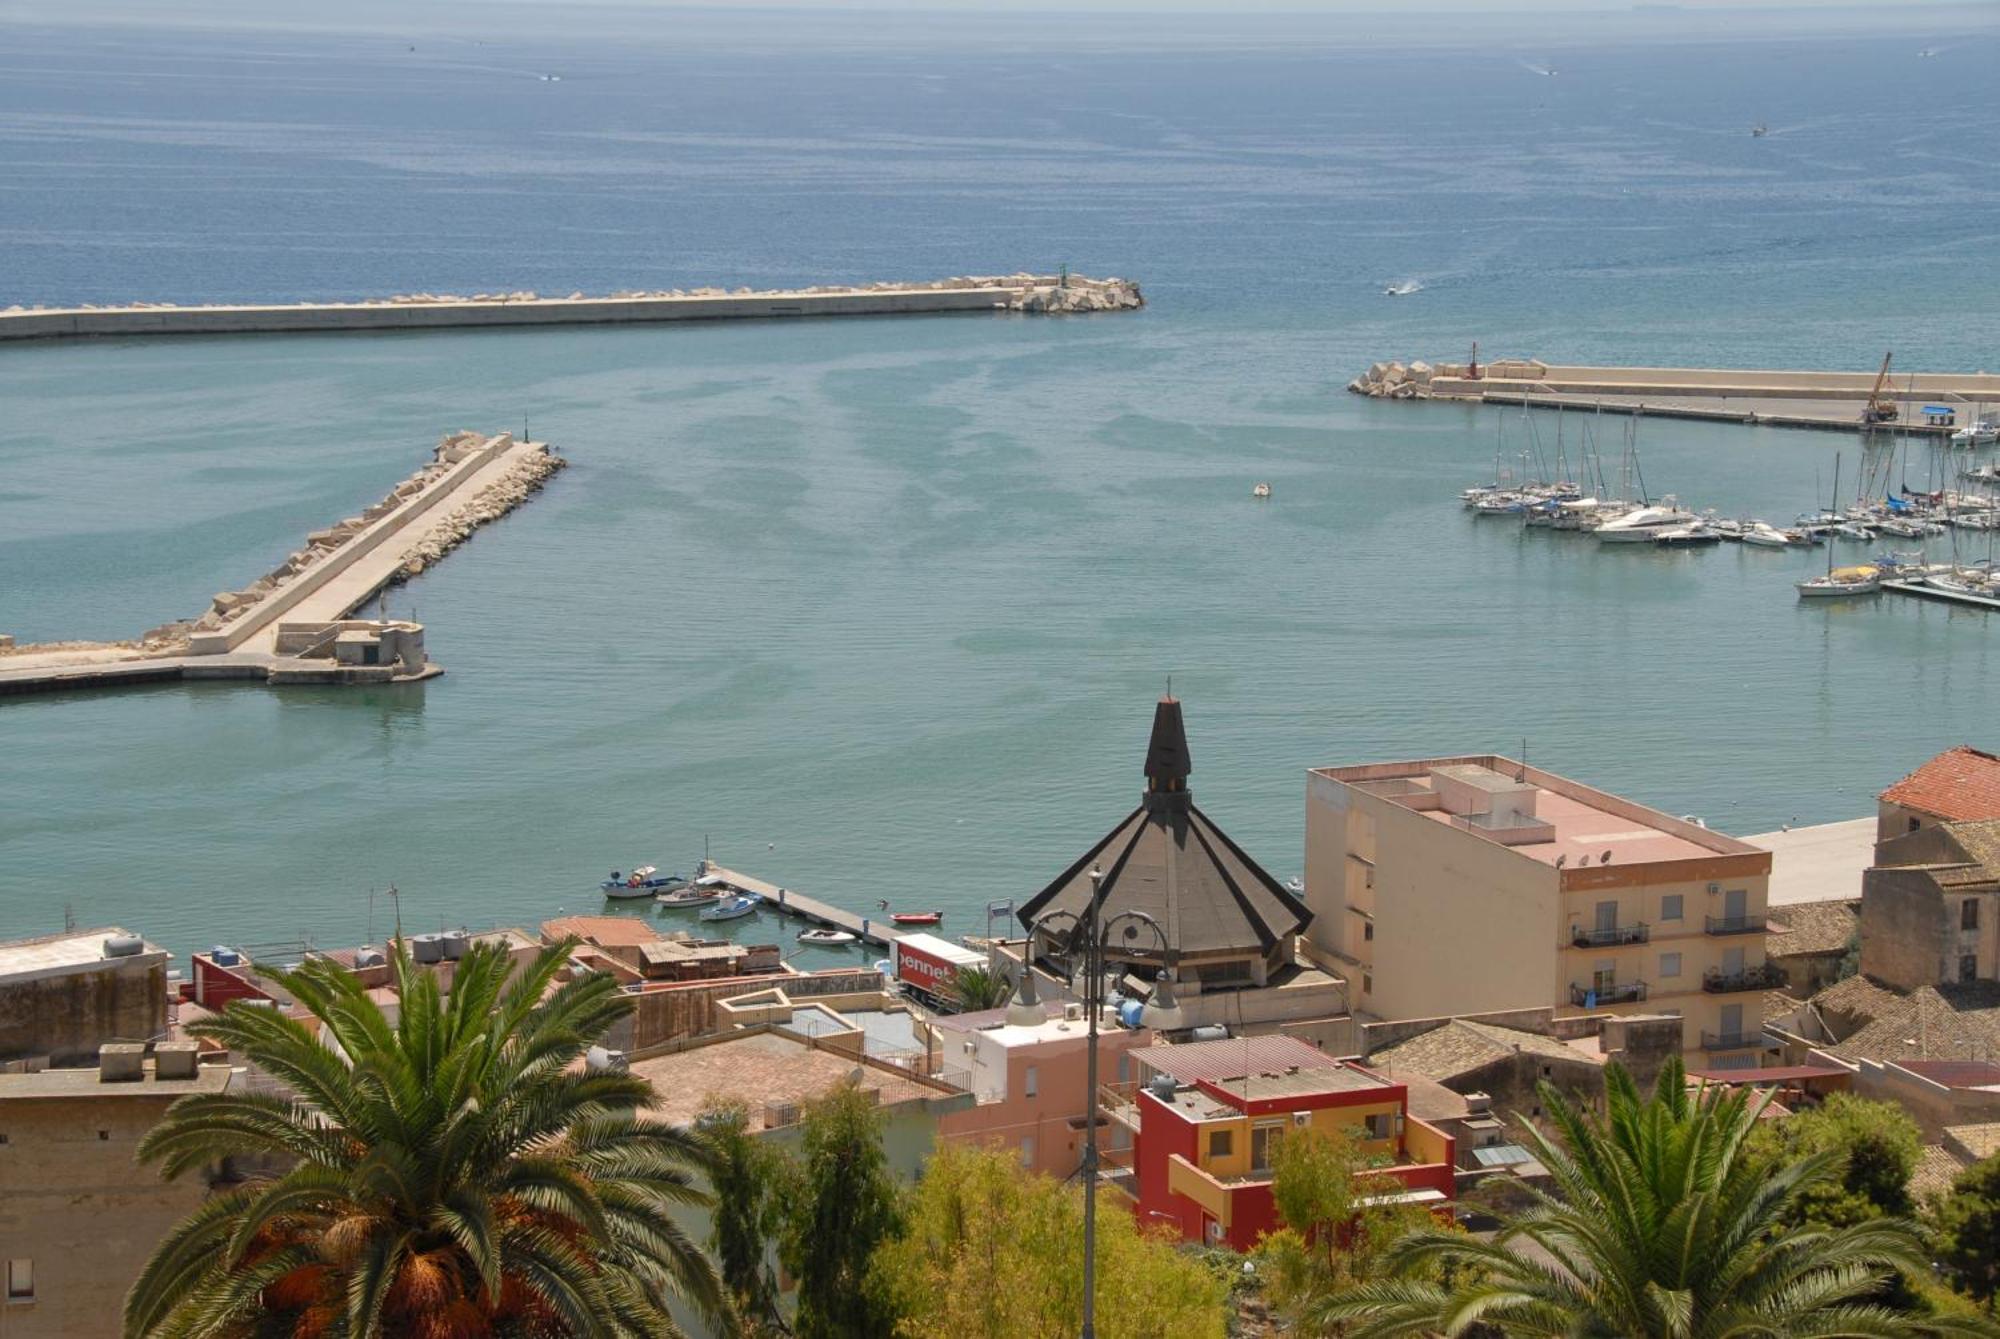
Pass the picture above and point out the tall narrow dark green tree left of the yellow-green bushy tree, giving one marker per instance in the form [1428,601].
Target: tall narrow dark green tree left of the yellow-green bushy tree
[841,1208]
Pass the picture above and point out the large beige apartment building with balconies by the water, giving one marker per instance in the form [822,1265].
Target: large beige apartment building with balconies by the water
[1451,886]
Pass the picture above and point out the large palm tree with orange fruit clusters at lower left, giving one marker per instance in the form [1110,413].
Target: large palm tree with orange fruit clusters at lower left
[451,1174]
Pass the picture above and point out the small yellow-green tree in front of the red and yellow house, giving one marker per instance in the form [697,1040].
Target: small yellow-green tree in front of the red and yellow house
[1337,1222]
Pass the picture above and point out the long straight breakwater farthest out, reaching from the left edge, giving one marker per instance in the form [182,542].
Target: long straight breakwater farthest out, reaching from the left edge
[1015,293]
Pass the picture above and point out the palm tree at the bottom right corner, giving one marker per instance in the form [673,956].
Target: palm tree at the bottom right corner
[1663,1228]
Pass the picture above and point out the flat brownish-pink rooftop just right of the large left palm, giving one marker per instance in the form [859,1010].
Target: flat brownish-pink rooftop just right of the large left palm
[761,1068]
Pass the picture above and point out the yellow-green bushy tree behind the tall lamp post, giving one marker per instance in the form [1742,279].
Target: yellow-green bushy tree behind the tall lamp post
[995,1252]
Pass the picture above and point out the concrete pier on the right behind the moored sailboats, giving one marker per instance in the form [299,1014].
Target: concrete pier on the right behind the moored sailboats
[1781,399]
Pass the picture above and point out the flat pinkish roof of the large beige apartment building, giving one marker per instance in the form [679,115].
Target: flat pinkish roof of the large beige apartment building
[1559,820]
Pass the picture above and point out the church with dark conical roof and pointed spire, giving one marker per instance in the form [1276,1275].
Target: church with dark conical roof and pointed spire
[1227,922]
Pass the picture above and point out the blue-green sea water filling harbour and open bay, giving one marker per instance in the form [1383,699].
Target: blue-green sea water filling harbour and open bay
[879,609]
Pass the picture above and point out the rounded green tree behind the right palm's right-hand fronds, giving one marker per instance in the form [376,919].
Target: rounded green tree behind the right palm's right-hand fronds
[1875,1146]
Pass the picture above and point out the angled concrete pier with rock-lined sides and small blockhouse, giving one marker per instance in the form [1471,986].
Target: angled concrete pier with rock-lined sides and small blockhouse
[295,625]
